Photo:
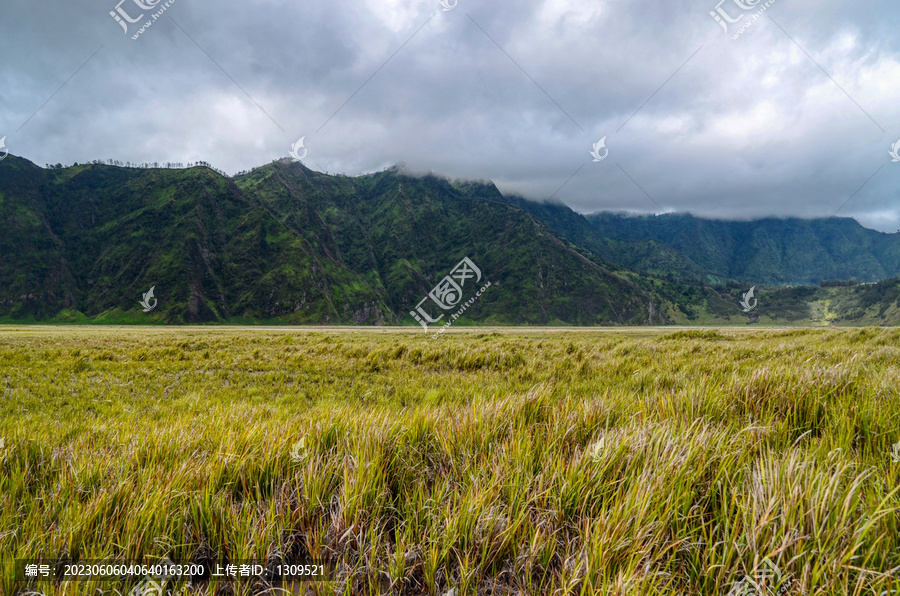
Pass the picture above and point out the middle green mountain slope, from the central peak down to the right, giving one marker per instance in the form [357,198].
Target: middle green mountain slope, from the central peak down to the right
[404,233]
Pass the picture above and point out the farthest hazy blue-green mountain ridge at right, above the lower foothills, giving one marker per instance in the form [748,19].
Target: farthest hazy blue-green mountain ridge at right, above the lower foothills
[765,251]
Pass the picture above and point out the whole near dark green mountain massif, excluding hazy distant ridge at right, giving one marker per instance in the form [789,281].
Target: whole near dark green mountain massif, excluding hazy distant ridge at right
[282,243]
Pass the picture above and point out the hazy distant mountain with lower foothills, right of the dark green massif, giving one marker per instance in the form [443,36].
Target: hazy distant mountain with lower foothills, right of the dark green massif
[686,292]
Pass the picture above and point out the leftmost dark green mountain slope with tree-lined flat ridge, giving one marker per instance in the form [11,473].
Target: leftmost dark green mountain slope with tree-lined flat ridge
[211,252]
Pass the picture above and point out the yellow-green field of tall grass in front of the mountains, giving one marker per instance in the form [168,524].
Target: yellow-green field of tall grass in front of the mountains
[489,461]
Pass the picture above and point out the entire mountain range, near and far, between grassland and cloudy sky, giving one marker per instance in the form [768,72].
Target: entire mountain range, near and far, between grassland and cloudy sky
[284,244]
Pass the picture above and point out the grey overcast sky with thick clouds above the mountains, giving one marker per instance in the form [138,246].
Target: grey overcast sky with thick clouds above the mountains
[796,116]
